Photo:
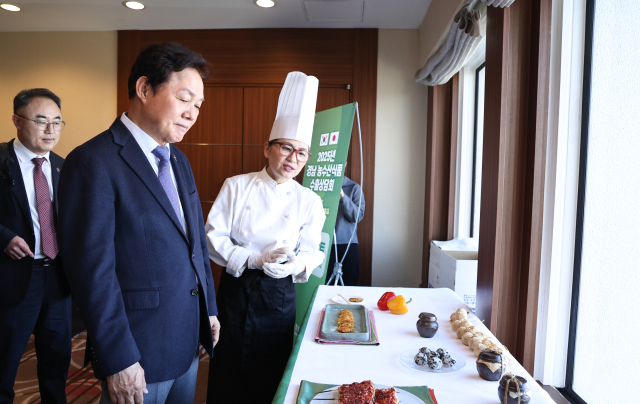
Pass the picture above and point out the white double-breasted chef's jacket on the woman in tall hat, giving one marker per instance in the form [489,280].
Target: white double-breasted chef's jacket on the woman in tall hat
[254,214]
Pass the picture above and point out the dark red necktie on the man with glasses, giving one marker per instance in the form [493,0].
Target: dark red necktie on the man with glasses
[45,210]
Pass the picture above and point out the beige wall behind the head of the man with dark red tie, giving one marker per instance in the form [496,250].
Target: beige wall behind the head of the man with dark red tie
[80,67]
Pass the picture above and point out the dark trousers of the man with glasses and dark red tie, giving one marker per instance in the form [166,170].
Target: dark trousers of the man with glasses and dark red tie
[46,313]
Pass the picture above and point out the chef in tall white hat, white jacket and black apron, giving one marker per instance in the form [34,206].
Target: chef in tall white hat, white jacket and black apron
[264,228]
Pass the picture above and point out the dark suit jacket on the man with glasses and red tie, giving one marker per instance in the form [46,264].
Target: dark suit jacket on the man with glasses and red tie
[15,220]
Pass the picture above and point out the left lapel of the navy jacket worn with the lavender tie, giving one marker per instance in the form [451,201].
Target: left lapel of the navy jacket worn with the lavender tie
[137,161]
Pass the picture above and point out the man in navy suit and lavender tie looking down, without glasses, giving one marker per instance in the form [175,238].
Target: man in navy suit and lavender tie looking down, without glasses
[132,237]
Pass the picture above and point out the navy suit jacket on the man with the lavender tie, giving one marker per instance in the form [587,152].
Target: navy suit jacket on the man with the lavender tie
[133,271]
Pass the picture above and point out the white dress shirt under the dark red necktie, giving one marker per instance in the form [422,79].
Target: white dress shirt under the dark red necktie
[26,167]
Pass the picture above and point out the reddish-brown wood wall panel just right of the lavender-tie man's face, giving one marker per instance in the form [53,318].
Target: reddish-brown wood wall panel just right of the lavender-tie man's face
[218,121]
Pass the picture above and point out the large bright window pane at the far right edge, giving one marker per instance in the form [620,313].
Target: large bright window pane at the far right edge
[602,353]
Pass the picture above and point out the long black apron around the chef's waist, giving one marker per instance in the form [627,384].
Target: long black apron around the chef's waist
[257,315]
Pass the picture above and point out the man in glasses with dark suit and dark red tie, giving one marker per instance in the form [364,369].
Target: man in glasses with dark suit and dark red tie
[34,294]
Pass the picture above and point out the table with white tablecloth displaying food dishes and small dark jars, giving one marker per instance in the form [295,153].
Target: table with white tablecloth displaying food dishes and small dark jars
[338,364]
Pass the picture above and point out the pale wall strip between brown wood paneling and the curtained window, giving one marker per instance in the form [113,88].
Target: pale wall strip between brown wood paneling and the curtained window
[401,128]
